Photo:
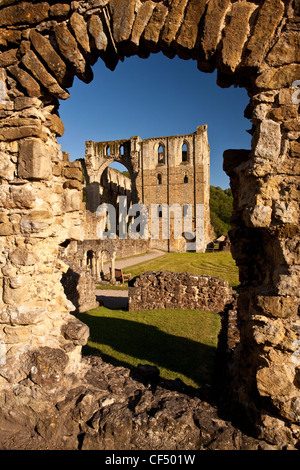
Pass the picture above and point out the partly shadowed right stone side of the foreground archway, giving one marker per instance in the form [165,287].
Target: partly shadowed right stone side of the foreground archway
[265,237]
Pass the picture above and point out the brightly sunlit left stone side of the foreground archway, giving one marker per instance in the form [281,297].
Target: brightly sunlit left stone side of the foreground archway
[39,209]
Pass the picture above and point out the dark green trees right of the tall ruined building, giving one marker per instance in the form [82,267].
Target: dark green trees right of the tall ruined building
[221,201]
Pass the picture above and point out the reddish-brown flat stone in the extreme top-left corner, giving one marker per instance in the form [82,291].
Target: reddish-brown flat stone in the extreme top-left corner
[24,12]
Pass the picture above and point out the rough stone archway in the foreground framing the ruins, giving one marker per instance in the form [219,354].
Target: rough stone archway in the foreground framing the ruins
[252,44]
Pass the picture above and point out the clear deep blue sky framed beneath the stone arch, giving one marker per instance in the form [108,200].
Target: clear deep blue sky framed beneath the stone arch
[155,97]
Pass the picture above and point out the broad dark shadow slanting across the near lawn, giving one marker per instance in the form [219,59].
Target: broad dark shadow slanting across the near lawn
[140,343]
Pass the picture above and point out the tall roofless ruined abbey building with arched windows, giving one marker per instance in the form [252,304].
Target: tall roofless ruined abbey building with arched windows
[165,173]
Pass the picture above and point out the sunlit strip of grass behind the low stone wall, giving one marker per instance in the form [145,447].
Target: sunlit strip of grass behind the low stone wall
[212,264]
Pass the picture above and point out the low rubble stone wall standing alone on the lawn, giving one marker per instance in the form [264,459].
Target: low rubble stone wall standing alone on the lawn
[153,290]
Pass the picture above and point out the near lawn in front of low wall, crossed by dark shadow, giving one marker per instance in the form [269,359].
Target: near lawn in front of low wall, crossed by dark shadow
[181,343]
